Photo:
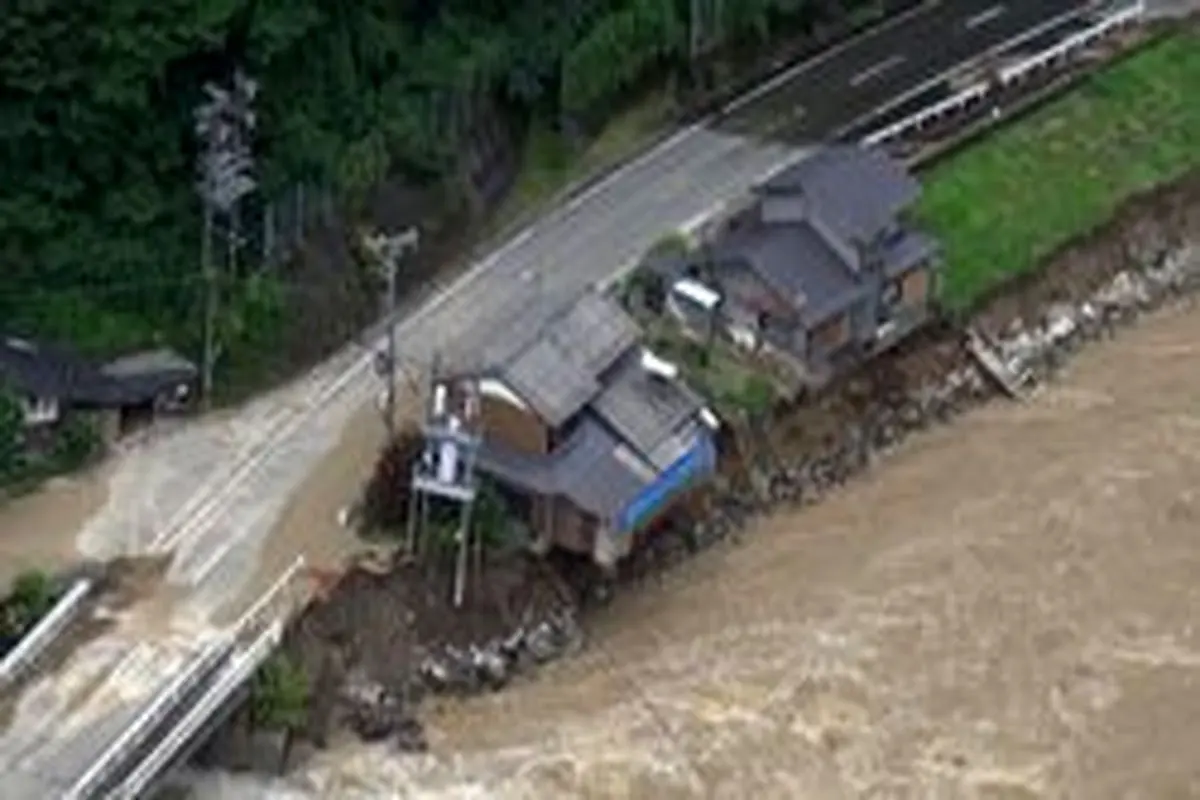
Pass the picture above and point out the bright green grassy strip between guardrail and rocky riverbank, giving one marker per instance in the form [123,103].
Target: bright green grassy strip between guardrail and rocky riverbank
[1005,203]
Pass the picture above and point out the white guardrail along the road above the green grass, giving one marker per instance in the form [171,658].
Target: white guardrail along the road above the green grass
[1013,74]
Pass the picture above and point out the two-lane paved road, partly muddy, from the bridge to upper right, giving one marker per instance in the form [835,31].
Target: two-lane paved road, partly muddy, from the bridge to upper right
[253,464]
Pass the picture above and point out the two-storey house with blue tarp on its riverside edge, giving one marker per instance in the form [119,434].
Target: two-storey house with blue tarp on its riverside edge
[596,434]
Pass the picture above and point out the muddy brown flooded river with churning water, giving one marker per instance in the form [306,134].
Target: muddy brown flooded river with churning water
[1006,610]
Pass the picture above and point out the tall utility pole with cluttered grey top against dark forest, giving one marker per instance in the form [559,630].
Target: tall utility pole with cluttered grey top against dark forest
[224,124]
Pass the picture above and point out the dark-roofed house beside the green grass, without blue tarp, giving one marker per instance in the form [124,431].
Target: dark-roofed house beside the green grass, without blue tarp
[824,270]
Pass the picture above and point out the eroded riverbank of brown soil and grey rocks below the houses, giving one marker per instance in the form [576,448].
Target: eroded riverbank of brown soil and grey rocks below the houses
[1148,256]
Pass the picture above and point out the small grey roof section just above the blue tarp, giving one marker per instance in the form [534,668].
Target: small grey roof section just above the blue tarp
[646,411]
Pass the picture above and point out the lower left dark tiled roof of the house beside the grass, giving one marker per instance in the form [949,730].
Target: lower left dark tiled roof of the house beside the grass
[795,262]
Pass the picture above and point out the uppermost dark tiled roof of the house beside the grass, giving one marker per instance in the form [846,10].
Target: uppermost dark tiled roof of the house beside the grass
[856,191]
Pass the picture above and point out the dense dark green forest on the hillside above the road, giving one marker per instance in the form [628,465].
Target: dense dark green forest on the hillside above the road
[100,221]
